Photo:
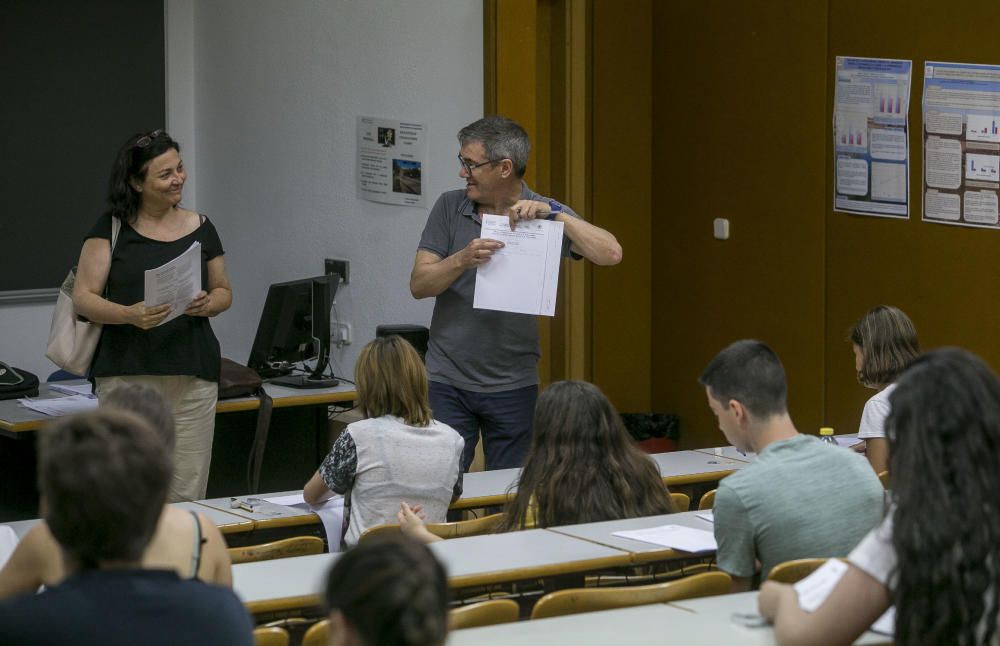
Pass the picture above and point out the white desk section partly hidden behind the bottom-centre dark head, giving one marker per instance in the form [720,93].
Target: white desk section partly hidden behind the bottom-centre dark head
[284,585]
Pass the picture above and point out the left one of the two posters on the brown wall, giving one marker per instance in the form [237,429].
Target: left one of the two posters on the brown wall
[870,143]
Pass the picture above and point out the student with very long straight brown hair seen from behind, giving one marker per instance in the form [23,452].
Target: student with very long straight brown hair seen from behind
[582,466]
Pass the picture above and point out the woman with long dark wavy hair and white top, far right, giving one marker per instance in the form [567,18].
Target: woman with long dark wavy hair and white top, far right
[936,556]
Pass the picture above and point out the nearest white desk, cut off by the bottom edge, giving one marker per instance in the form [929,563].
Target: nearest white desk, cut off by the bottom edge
[683,622]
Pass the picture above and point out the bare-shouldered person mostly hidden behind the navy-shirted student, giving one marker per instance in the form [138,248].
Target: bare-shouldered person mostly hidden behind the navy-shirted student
[184,541]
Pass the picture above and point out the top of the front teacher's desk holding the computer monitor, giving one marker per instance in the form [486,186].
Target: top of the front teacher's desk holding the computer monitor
[15,418]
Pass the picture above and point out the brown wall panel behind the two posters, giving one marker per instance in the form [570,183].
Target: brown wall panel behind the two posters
[944,277]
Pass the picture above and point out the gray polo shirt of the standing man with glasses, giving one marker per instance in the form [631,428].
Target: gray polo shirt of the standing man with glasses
[472,349]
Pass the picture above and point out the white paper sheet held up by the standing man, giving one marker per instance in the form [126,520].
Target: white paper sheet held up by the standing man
[523,276]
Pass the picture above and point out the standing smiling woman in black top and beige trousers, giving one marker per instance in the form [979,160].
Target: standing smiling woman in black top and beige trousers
[145,227]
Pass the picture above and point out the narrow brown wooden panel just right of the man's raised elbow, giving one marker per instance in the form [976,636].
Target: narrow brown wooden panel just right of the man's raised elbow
[621,179]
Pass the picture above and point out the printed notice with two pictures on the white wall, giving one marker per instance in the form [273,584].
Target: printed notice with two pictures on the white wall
[391,157]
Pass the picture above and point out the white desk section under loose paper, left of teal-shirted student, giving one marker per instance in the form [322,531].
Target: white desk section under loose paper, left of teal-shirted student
[639,551]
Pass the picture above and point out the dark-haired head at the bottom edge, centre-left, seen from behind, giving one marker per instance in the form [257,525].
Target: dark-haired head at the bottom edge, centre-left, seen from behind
[390,590]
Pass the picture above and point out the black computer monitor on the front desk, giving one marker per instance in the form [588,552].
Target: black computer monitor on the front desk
[295,326]
